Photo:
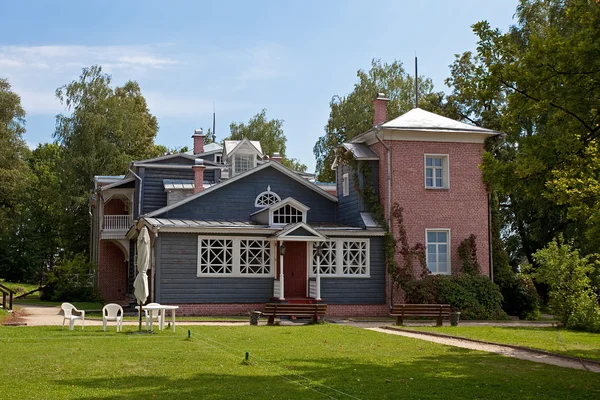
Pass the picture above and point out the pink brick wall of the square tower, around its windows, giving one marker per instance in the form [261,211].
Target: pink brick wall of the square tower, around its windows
[462,208]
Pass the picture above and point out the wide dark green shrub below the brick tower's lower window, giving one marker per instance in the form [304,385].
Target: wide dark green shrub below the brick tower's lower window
[476,297]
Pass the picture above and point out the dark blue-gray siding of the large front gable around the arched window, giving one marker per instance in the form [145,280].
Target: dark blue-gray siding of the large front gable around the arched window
[235,201]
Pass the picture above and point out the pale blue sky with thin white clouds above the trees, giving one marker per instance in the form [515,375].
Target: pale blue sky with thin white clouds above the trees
[287,57]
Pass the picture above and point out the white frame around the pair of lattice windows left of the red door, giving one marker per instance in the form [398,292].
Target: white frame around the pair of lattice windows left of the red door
[236,255]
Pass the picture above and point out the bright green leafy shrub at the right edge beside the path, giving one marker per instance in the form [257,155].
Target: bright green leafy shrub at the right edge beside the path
[568,276]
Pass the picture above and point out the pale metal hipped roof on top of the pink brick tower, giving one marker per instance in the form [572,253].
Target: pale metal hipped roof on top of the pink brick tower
[418,119]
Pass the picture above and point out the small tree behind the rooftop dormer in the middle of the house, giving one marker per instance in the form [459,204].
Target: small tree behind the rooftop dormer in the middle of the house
[270,135]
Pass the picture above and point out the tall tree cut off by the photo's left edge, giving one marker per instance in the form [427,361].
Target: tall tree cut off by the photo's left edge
[15,179]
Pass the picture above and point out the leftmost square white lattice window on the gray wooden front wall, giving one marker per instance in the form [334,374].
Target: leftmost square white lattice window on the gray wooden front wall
[215,256]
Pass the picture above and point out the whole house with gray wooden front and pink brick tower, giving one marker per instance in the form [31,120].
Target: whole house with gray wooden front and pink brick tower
[229,234]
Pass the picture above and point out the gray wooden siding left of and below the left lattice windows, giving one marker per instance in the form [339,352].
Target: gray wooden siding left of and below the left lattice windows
[177,256]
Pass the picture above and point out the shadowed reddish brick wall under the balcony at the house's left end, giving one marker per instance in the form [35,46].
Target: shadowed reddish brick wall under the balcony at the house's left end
[112,272]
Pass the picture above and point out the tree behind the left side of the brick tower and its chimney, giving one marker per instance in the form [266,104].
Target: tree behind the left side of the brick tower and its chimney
[352,114]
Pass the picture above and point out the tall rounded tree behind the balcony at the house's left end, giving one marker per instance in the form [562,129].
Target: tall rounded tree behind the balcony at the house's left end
[107,128]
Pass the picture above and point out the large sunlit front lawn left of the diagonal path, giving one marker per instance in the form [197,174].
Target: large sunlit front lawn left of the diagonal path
[298,362]
